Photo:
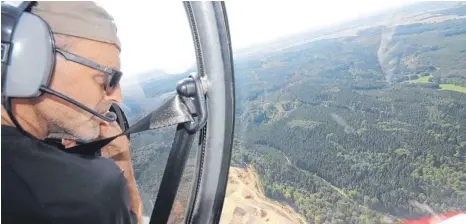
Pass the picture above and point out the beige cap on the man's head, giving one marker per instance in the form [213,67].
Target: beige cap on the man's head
[81,19]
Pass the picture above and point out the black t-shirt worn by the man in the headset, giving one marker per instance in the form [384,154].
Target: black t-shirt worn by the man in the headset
[43,184]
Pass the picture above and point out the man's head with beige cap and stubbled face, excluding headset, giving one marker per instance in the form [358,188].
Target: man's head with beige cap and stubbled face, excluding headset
[86,30]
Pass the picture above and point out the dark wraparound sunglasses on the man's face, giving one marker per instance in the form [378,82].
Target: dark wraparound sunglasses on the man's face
[112,76]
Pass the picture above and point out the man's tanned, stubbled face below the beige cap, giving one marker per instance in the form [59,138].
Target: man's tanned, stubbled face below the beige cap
[83,84]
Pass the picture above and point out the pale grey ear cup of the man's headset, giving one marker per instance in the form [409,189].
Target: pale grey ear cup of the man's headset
[32,58]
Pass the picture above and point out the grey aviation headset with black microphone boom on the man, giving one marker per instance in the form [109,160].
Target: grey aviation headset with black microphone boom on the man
[28,59]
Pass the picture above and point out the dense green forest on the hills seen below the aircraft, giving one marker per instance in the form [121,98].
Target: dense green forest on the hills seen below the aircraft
[352,129]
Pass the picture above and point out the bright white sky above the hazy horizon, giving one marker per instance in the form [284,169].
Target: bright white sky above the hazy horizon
[156,34]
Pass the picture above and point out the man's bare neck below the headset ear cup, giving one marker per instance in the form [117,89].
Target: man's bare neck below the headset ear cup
[27,117]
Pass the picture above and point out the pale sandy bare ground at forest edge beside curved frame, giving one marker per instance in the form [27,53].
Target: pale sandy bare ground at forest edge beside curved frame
[245,203]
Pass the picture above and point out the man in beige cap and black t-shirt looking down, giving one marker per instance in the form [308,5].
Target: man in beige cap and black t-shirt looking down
[42,184]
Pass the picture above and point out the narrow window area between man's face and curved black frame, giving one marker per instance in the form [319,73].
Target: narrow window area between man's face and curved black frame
[157,52]
